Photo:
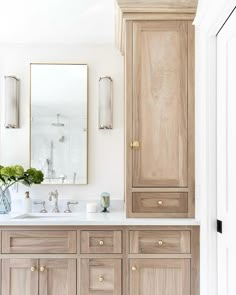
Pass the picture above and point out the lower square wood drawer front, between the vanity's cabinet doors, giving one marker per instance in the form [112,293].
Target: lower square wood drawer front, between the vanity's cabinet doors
[101,276]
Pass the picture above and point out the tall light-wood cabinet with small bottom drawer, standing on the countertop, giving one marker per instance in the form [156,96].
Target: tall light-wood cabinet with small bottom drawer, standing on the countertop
[157,39]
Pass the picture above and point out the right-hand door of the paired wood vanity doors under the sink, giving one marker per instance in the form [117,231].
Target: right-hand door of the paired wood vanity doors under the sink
[58,278]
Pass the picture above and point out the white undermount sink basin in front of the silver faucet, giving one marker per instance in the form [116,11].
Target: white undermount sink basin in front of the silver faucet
[46,216]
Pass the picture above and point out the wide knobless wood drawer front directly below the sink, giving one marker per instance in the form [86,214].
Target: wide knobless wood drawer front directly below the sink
[38,241]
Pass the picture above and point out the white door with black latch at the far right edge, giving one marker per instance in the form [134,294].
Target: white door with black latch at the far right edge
[226,156]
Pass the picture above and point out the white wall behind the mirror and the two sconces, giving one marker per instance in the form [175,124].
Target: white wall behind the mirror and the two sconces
[105,148]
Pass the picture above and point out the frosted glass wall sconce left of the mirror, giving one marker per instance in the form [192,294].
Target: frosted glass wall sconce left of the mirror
[11,102]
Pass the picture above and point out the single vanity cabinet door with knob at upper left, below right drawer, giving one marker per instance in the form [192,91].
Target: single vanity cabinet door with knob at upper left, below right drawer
[160,277]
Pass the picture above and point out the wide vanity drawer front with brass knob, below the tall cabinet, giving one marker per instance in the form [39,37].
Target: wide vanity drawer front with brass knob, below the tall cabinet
[159,242]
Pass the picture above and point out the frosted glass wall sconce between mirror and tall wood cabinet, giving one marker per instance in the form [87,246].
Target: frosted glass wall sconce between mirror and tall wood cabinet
[105,103]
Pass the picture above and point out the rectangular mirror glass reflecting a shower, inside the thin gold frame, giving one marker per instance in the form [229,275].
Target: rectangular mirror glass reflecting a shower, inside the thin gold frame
[59,122]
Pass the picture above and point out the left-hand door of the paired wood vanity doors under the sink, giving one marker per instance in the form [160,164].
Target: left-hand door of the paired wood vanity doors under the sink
[17,277]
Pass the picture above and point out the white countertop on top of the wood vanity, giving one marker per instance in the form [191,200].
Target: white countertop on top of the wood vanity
[88,219]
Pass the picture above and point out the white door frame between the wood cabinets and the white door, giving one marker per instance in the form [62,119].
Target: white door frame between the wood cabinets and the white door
[206,107]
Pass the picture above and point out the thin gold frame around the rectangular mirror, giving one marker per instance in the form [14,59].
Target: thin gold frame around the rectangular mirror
[87,124]
